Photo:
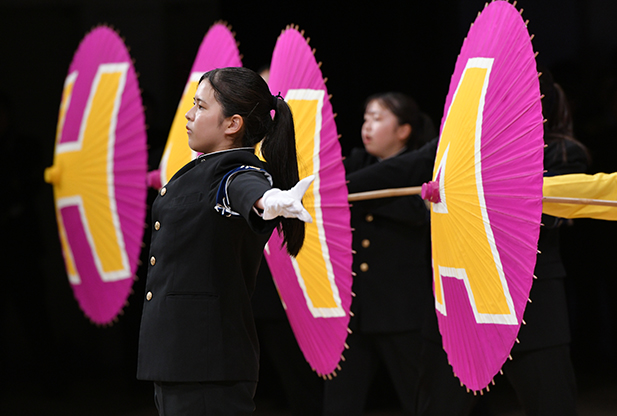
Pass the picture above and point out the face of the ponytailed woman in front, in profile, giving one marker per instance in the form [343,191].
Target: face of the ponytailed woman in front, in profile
[206,125]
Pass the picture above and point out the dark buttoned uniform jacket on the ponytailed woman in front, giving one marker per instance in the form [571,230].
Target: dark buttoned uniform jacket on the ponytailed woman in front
[197,323]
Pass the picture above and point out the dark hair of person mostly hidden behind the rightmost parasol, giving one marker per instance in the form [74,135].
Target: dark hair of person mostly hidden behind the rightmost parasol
[558,126]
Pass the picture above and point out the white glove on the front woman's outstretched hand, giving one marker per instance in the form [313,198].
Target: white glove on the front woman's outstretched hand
[287,203]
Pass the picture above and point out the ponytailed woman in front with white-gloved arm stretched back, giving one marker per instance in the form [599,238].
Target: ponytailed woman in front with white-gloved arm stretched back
[197,340]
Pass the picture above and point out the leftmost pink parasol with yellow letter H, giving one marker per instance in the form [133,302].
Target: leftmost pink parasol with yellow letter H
[99,174]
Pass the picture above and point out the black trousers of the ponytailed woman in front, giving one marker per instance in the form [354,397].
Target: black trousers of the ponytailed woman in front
[225,398]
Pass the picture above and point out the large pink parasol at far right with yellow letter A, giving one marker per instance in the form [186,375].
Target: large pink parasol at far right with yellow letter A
[486,211]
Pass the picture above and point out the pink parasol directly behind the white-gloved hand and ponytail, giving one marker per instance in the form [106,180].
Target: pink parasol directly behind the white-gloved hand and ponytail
[316,285]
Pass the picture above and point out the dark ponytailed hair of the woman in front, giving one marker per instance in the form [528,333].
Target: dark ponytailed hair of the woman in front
[244,92]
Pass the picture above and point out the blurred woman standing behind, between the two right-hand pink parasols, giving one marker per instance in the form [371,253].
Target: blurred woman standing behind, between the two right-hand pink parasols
[392,263]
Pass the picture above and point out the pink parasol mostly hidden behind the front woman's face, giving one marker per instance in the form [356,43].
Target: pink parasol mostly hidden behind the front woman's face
[218,49]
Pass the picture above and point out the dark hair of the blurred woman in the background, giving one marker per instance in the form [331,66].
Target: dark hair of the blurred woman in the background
[407,111]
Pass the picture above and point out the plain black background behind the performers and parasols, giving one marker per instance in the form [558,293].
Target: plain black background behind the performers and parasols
[52,354]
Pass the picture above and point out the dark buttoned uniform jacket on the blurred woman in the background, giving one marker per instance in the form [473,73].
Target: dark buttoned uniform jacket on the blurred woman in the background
[391,241]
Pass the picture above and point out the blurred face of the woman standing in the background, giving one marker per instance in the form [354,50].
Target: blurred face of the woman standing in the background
[382,135]
